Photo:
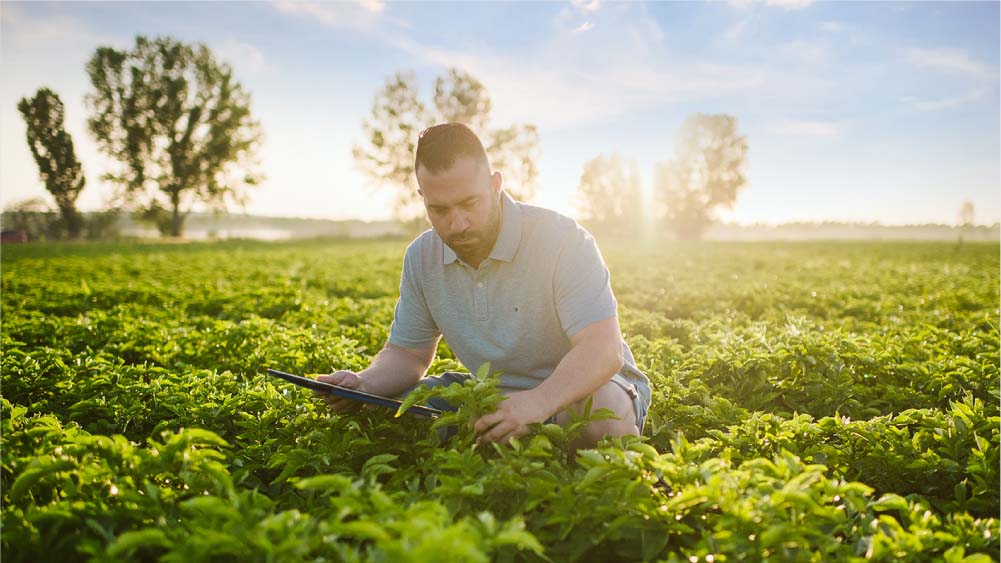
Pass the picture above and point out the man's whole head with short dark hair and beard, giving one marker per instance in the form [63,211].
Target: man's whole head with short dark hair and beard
[462,196]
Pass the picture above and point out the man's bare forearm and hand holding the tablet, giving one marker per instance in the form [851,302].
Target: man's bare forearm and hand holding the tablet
[394,370]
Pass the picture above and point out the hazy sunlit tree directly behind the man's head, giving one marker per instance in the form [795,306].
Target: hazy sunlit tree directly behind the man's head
[398,117]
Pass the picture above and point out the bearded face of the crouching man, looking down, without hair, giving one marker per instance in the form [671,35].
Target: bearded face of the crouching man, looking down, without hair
[464,206]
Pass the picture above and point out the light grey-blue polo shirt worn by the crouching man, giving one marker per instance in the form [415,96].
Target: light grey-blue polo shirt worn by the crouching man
[543,283]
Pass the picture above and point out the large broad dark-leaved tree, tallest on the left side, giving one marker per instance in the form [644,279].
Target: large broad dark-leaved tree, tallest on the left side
[179,125]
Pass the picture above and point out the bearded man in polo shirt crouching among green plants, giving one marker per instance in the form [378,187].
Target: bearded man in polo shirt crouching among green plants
[521,287]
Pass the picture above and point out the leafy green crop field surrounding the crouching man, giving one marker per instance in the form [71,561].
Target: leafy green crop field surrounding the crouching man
[812,402]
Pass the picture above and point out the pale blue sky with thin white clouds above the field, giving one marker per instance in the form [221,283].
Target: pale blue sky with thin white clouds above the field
[853,112]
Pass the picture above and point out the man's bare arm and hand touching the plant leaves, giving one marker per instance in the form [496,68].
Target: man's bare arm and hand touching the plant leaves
[596,355]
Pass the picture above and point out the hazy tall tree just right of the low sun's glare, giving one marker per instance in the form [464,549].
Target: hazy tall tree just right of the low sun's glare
[706,173]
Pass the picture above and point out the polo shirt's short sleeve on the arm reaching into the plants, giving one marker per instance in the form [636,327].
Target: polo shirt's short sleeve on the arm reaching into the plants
[582,284]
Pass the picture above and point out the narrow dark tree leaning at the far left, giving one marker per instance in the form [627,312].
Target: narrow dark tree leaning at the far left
[53,149]
